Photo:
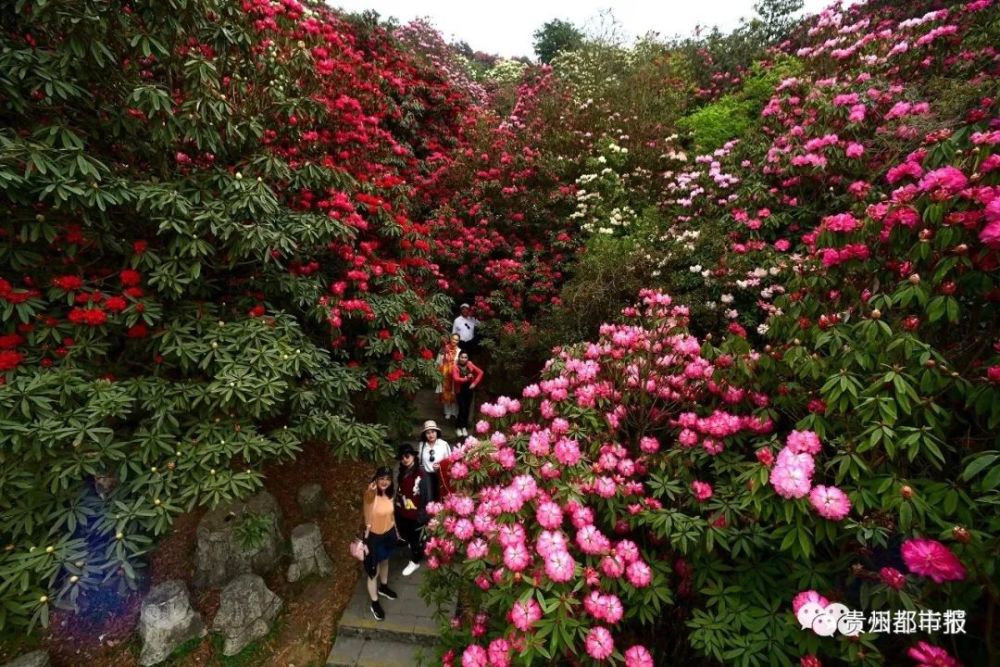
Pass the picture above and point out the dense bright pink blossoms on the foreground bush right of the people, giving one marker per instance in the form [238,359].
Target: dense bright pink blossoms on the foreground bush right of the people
[526,529]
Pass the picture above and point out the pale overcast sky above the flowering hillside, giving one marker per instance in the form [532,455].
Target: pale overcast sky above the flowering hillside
[505,28]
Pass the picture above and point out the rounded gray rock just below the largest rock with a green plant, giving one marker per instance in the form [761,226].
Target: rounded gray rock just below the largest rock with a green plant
[246,610]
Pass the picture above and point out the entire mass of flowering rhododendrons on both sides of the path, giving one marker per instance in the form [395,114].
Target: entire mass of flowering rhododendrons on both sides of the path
[234,226]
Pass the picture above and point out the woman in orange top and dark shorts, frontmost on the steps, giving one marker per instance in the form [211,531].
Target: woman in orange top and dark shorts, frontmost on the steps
[381,538]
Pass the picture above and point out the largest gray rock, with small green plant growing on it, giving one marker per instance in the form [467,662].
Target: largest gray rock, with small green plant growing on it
[220,556]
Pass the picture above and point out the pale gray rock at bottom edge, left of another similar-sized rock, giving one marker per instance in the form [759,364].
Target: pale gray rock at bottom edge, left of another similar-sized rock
[167,621]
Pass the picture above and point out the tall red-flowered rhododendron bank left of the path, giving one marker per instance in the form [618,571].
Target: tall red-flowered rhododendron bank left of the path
[210,251]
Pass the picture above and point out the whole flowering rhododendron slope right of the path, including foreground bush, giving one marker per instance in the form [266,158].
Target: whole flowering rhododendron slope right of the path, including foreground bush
[832,434]
